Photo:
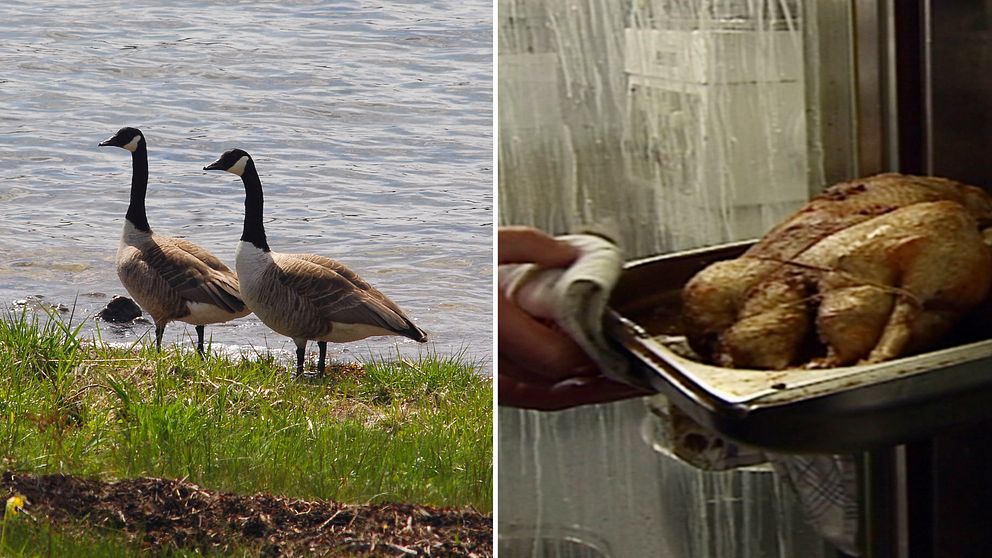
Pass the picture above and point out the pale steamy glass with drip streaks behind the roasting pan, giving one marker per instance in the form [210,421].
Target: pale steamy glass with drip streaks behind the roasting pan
[667,124]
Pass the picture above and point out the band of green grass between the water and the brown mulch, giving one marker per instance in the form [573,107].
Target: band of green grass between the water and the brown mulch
[382,431]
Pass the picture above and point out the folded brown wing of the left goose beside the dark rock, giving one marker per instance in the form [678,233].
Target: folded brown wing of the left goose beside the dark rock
[195,274]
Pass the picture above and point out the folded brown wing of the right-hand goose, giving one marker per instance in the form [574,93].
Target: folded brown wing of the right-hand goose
[340,295]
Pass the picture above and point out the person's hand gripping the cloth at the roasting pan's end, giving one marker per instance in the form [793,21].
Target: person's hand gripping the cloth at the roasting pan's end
[540,367]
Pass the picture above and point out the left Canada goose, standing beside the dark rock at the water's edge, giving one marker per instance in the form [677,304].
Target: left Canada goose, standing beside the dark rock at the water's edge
[170,278]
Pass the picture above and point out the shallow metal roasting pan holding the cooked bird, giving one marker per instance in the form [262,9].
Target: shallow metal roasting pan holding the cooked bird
[835,410]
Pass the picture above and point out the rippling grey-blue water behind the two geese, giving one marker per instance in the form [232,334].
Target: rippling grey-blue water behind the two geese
[370,124]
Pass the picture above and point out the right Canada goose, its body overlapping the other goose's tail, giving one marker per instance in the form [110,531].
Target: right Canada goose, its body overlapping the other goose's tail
[304,296]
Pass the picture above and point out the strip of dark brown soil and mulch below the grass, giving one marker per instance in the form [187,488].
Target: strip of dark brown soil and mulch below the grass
[157,513]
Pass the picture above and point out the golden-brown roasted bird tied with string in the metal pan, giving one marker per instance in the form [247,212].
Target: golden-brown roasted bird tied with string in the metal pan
[870,270]
